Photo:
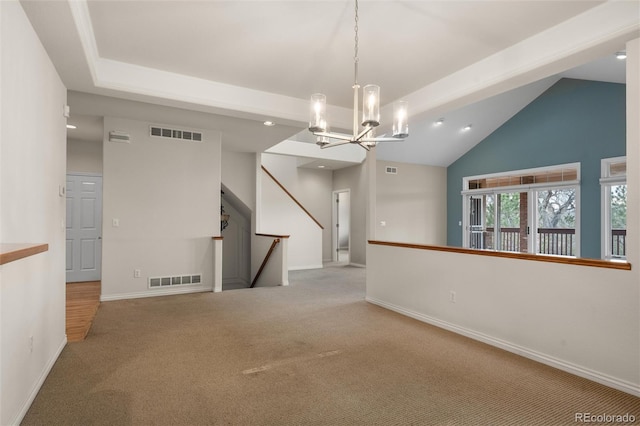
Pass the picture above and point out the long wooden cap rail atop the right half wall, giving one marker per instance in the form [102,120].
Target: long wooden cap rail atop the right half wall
[522,256]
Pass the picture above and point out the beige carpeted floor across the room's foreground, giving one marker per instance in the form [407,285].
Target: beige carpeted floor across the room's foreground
[313,353]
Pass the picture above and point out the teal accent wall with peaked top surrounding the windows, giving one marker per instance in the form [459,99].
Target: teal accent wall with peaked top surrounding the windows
[573,121]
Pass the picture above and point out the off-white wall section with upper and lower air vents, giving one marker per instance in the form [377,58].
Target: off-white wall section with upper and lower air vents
[166,196]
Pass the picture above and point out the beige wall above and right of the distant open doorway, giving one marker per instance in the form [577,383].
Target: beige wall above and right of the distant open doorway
[354,178]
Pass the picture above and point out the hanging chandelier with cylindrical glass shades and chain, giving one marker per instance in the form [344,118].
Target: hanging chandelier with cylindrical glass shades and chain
[363,131]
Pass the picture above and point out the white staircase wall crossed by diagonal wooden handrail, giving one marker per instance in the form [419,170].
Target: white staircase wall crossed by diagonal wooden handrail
[279,214]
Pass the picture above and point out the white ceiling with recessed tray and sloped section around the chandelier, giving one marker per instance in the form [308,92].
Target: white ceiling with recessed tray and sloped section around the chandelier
[237,63]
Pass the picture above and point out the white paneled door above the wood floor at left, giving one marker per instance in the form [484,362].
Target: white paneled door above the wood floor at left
[84,227]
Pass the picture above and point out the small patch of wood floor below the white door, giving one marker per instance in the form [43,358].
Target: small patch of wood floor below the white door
[83,300]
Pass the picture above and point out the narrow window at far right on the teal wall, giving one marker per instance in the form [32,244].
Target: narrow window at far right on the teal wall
[614,207]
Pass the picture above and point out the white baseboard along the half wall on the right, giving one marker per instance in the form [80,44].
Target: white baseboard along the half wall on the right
[571,368]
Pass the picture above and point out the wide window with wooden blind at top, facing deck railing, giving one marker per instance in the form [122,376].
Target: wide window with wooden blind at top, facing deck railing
[526,211]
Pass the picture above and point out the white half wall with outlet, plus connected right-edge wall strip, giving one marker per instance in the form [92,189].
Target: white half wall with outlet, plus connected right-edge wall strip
[584,320]
